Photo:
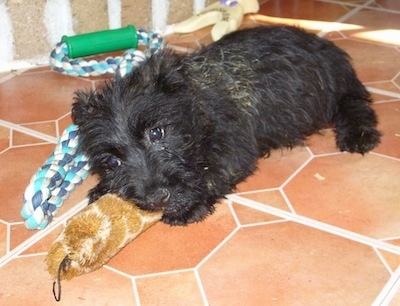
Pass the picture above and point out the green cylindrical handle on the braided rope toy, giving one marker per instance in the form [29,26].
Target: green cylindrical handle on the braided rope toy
[101,42]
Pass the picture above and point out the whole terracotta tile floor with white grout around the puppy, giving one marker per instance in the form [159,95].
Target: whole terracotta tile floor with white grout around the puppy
[312,227]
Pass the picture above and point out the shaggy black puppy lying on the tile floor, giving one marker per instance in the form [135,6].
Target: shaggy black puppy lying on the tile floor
[181,131]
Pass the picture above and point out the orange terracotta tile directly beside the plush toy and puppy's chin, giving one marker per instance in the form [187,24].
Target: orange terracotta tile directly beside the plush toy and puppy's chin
[164,248]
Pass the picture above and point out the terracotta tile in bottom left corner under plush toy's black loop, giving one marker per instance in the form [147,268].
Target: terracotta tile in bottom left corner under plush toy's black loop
[101,285]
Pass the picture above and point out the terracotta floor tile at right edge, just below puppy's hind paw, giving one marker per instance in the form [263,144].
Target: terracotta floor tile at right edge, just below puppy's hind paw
[353,193]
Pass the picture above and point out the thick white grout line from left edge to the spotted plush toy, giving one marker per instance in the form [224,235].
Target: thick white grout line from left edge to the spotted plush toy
[41,233]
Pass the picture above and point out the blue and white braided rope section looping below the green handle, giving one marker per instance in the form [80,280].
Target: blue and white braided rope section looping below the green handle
[132,58]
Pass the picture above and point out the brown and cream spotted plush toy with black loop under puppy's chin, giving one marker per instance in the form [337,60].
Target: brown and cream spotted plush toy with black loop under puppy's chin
[93,236]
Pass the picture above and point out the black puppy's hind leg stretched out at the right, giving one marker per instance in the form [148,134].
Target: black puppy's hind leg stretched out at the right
[356,122]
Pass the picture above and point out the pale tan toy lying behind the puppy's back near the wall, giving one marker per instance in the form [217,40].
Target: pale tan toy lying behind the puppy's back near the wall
[227,15]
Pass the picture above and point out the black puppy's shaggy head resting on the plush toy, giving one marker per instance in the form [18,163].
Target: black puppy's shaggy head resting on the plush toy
[146,136]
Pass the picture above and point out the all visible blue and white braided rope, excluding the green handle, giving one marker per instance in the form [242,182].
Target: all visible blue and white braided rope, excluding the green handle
[66,168]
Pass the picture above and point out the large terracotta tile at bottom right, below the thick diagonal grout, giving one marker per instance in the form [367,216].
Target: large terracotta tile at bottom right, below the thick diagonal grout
[285,263]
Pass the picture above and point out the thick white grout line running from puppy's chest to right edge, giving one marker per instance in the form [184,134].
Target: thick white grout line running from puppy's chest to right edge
[317,225]
